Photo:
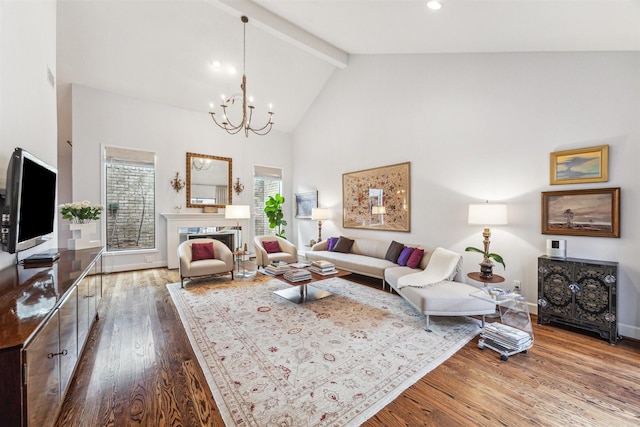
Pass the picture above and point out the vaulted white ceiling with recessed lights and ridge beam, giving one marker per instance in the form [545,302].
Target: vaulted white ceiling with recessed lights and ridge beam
[162,51]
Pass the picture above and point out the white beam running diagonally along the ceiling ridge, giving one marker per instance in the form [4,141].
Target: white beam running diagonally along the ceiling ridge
[284,30]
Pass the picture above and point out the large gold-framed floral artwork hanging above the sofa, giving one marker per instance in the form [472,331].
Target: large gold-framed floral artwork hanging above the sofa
[378,198]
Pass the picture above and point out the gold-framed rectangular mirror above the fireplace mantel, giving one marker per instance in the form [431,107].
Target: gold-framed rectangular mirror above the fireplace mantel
[208,181]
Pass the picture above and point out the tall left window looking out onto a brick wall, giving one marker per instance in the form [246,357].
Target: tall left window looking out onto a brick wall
[130,177]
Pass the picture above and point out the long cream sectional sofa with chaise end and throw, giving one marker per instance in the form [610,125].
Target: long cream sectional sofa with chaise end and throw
[434,288]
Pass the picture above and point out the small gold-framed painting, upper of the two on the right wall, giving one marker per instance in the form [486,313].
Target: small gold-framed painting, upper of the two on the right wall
[580,166]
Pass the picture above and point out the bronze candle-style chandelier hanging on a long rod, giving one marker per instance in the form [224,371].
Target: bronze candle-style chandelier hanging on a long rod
[245,124]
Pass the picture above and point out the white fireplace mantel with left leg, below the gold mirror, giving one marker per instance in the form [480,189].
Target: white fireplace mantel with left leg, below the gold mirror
[176,221]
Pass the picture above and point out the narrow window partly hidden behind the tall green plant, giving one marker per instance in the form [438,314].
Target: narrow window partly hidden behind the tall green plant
[267,181]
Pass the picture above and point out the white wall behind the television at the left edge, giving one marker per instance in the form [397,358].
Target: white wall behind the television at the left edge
[27,99]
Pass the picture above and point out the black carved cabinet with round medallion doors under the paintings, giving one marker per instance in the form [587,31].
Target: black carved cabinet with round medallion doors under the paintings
[580,293]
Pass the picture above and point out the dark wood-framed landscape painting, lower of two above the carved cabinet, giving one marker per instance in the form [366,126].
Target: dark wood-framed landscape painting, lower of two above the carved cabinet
[594,212]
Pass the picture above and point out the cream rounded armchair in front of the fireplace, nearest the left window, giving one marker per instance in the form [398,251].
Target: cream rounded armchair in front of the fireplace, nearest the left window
[221,263]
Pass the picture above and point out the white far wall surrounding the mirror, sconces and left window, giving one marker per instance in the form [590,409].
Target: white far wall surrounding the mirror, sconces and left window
[100,117]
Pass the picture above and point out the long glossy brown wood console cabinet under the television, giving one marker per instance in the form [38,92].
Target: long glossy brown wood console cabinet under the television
[46,312]
